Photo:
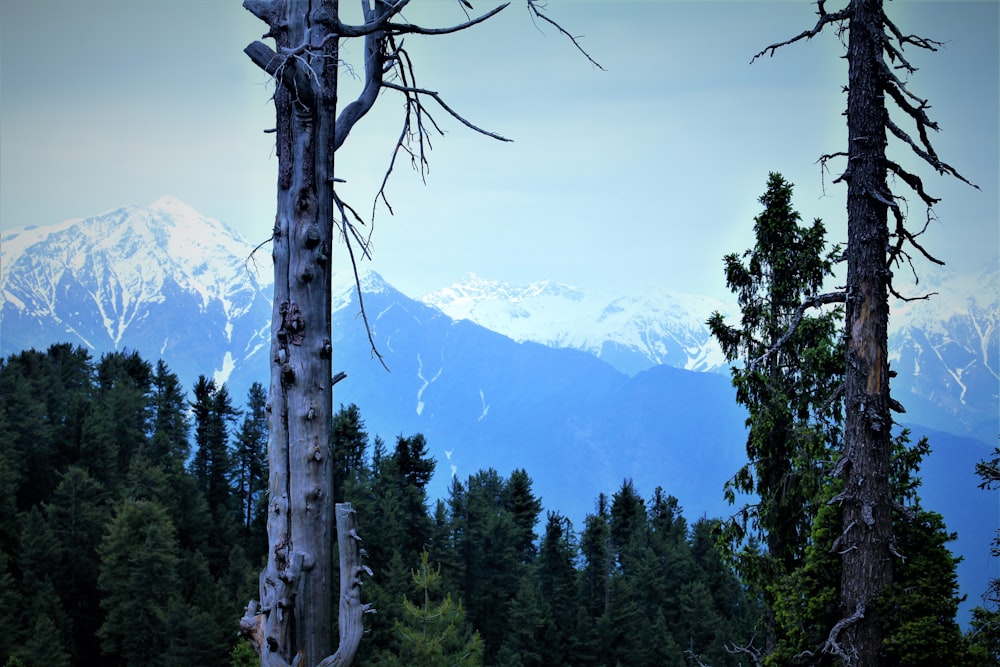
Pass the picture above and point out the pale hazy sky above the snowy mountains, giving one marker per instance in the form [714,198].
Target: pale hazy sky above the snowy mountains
[642,175]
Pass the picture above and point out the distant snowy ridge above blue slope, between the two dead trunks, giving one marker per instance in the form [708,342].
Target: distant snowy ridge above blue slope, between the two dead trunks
[631,333]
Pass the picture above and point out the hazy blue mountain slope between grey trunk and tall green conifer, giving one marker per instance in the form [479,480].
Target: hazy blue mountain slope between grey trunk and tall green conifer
[578,426]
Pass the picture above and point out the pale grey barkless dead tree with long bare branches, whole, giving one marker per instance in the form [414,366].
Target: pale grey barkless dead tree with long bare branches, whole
[293,622]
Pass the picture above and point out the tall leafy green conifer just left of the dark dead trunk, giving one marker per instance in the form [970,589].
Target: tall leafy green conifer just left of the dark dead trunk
[789,391]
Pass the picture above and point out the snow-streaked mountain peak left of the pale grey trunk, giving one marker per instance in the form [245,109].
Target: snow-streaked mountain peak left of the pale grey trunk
[162,279]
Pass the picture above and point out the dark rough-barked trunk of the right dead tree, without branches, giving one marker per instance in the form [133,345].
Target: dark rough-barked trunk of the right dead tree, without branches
[867,502]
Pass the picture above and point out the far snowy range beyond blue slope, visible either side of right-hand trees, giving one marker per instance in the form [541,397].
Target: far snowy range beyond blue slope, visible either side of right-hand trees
[944,348]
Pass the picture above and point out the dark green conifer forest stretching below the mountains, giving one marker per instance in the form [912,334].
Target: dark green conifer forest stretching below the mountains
[132,534]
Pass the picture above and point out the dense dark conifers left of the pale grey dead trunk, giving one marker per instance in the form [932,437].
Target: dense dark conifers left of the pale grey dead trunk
[98,515]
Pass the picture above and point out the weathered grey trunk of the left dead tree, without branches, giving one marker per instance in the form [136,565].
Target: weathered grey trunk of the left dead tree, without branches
[298,586]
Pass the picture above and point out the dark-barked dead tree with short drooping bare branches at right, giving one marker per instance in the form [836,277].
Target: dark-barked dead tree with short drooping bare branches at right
[875,245]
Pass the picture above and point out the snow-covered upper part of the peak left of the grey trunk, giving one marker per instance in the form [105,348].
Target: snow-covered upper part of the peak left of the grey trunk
[124,258]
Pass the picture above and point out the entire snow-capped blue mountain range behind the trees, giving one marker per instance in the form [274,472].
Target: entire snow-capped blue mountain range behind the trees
[581,390]
